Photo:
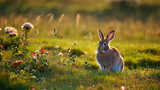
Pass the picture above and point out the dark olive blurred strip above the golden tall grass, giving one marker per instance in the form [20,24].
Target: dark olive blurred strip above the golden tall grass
[100,8]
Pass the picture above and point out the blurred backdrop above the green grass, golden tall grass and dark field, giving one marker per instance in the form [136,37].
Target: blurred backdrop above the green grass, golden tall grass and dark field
[132,19]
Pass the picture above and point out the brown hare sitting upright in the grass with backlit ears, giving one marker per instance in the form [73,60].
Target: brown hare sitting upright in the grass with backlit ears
[108,57]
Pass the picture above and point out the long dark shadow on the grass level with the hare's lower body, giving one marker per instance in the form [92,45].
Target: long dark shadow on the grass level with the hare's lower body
[143,63]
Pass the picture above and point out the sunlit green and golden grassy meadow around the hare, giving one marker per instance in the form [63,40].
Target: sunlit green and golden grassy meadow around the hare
[71,42]
